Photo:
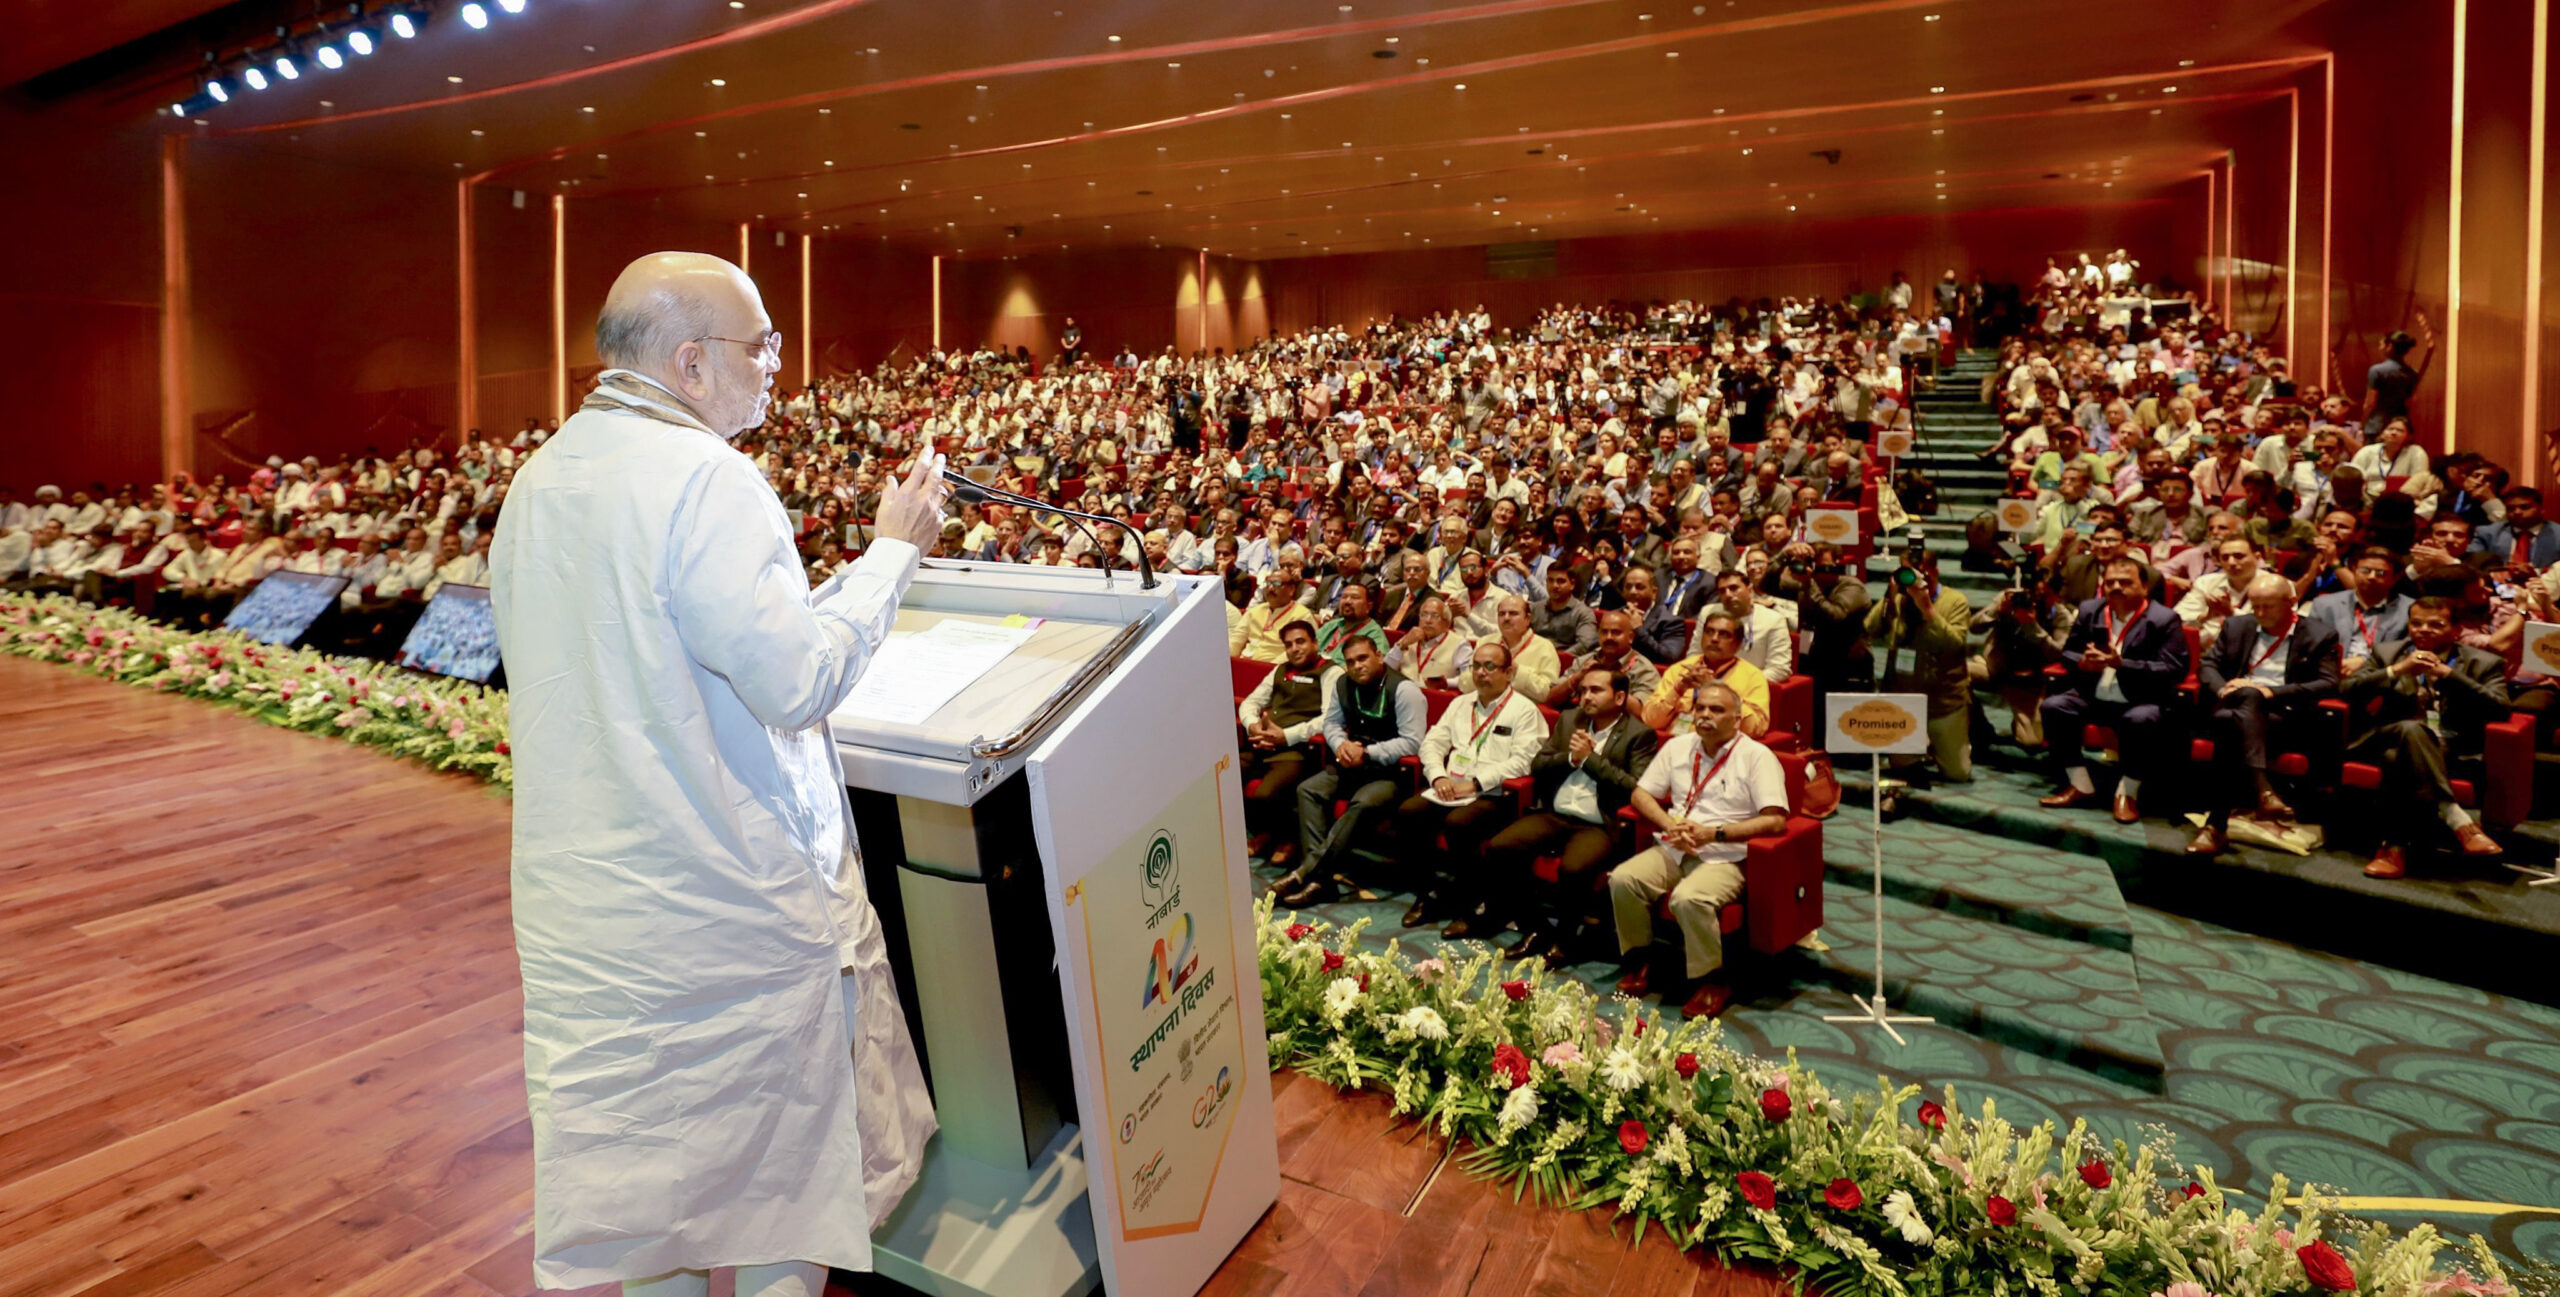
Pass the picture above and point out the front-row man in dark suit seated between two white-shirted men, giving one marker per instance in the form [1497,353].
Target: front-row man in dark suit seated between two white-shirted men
[1586,776]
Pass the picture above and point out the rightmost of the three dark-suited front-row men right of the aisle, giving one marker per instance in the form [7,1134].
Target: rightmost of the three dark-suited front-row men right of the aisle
[2418,710]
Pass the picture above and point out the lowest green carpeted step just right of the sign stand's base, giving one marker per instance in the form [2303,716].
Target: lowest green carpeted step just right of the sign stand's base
[2070,1002]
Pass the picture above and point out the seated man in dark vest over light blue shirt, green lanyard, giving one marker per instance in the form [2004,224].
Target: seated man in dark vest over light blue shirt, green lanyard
[1373,720]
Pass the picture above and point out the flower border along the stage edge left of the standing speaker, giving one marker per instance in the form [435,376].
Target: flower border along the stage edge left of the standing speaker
[449,725]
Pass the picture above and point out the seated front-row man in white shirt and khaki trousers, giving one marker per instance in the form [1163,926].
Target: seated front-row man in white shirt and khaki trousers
[1706,794]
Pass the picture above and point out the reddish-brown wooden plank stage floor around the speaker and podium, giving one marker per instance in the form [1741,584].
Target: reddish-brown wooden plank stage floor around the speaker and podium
[262,1035]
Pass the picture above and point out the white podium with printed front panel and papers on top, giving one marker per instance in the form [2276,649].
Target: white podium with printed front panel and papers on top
[1059,863]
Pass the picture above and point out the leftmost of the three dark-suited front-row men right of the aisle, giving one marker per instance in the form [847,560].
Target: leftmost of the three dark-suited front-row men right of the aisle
[2126,661]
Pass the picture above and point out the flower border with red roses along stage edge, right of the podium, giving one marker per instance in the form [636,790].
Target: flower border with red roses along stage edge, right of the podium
[1857,1193]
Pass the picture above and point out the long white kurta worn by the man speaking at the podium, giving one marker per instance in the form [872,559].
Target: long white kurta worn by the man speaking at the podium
[687,886]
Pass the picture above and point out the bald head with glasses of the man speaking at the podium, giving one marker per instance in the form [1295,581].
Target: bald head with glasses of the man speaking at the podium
[692,324]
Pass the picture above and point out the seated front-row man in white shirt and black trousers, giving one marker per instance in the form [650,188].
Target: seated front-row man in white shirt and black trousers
[1466,761]
